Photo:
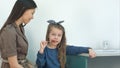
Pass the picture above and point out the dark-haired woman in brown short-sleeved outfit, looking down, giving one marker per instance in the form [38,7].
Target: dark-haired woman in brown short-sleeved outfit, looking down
[14,44]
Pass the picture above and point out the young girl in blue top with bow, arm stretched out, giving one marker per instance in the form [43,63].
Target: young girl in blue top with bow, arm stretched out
[53,51]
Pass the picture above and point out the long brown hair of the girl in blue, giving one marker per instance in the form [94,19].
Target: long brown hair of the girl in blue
[62,45]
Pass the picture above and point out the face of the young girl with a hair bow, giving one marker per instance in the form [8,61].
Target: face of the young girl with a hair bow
[55,36]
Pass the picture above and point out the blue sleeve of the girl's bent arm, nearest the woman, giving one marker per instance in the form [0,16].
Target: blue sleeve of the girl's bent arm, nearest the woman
[40,60]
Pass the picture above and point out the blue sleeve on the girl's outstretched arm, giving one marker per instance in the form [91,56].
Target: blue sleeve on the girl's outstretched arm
[74,50]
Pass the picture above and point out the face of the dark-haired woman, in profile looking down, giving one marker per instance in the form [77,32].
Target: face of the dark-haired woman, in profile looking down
[28,15]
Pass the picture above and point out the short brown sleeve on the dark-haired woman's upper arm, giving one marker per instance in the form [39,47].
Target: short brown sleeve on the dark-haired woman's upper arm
[8,45]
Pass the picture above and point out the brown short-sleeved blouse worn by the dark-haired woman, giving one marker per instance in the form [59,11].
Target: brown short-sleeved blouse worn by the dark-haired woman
[13,42]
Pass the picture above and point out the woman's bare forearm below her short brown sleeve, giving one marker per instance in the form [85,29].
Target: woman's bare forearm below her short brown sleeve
[14,62]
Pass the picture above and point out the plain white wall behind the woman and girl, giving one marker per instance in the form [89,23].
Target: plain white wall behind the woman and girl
[87,22]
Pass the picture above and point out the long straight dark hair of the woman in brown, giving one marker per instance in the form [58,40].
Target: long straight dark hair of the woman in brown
[19,8]
